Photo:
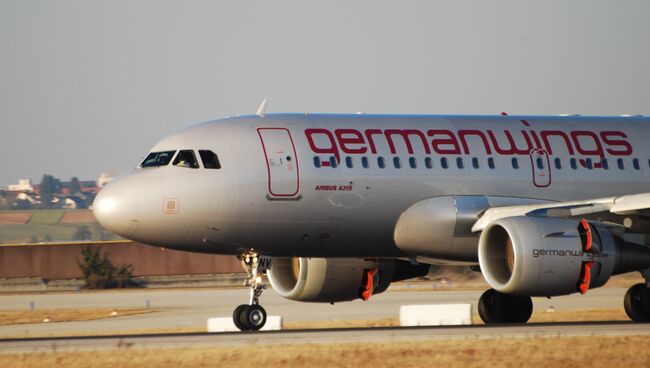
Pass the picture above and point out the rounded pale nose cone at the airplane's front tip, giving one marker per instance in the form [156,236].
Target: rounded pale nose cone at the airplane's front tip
[115,208]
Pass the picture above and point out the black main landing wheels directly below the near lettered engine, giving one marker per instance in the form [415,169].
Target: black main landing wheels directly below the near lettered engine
[495,307]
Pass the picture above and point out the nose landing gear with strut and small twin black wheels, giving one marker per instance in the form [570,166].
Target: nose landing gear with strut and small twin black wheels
[251,316]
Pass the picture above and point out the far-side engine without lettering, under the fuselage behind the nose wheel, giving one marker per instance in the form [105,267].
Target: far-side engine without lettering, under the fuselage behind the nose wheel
[337,279]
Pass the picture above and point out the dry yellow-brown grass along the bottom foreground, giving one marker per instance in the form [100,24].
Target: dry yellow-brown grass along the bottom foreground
[593,351]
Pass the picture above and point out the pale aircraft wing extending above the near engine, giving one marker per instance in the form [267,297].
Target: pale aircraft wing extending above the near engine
[622,205]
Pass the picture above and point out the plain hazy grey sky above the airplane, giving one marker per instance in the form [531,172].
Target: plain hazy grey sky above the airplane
[89,86]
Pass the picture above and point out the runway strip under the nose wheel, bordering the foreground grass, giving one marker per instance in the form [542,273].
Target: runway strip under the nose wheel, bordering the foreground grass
[332,336]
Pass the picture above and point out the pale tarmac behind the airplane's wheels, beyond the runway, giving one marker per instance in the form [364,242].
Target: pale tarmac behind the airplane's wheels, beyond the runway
[192,308]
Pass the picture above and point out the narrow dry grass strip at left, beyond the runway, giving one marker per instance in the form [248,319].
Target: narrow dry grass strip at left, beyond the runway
[64,315]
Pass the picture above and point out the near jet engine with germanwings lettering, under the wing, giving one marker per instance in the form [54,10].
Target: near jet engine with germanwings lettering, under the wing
[537,256]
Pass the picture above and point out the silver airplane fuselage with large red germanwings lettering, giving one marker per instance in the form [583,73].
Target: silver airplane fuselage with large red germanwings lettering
[313,185]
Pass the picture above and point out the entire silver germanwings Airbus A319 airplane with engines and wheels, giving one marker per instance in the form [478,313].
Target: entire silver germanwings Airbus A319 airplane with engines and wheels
[336,207]
